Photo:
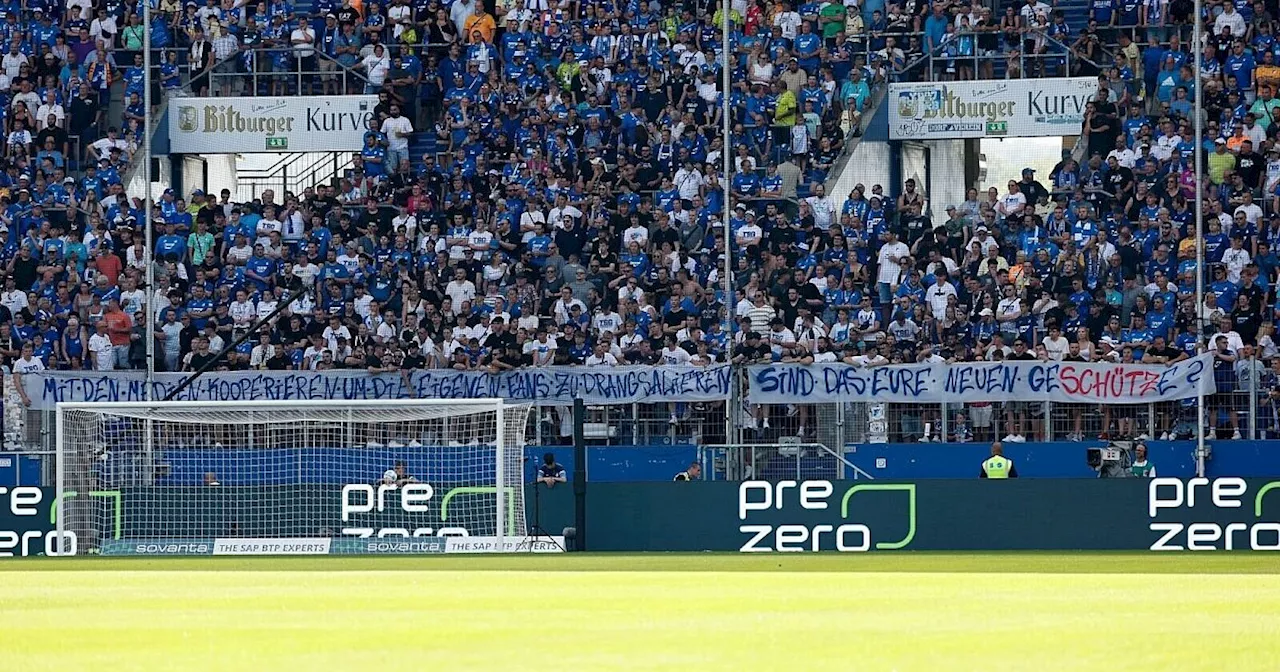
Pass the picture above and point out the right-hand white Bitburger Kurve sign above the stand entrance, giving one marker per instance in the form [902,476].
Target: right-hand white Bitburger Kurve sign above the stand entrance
[1004,108]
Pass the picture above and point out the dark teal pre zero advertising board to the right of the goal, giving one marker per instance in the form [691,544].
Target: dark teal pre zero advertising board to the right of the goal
[938,515]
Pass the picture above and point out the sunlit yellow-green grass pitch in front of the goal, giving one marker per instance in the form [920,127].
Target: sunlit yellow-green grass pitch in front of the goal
[700,612]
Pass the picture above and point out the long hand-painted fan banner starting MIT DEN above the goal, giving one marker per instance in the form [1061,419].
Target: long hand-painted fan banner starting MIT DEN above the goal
[547,386]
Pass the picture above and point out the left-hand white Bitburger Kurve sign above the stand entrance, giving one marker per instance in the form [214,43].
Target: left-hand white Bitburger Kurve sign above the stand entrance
[267,125]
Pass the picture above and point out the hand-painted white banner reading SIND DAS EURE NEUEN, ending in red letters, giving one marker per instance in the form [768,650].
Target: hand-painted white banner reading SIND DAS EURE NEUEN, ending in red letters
[982,382]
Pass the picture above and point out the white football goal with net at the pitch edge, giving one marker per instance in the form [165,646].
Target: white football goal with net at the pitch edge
[290,478]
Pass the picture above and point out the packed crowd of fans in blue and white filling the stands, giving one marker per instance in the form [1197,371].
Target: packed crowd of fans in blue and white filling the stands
[572,211]
